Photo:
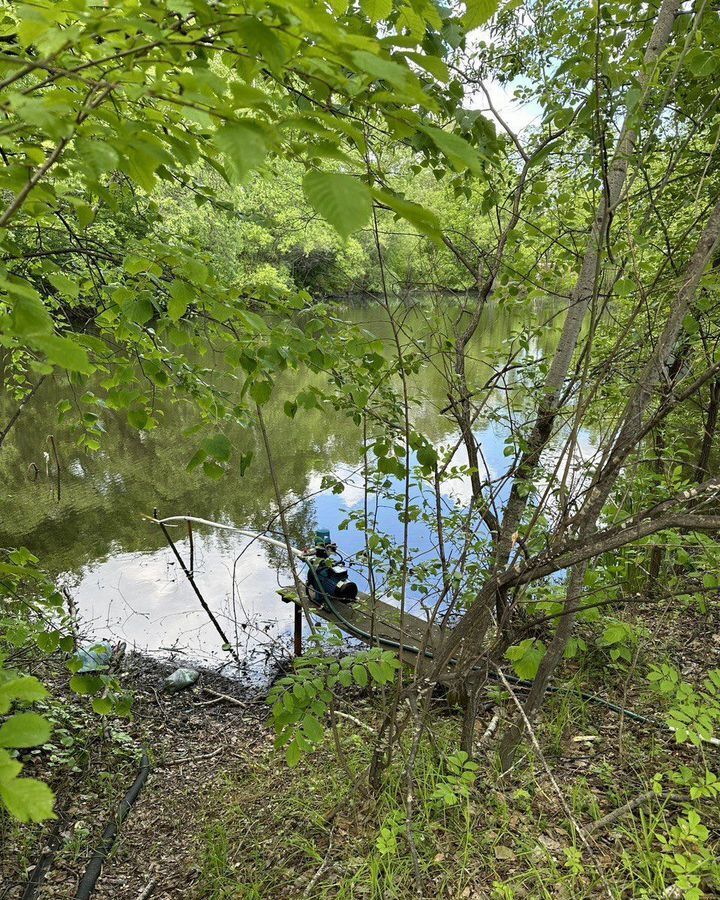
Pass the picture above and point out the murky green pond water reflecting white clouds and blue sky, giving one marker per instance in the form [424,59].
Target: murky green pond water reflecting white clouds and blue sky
[117,566]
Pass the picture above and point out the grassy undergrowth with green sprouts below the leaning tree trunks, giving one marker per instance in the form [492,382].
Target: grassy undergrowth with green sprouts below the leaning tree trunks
[272,832]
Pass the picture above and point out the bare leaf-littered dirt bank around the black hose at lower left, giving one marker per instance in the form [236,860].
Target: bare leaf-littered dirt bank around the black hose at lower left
[192,738]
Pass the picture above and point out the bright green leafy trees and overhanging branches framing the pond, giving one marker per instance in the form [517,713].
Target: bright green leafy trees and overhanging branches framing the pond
[187,186]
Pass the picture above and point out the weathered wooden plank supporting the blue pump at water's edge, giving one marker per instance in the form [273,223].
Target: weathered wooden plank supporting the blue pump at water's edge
[378,619]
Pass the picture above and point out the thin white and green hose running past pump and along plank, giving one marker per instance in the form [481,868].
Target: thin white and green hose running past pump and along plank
[306,557]
